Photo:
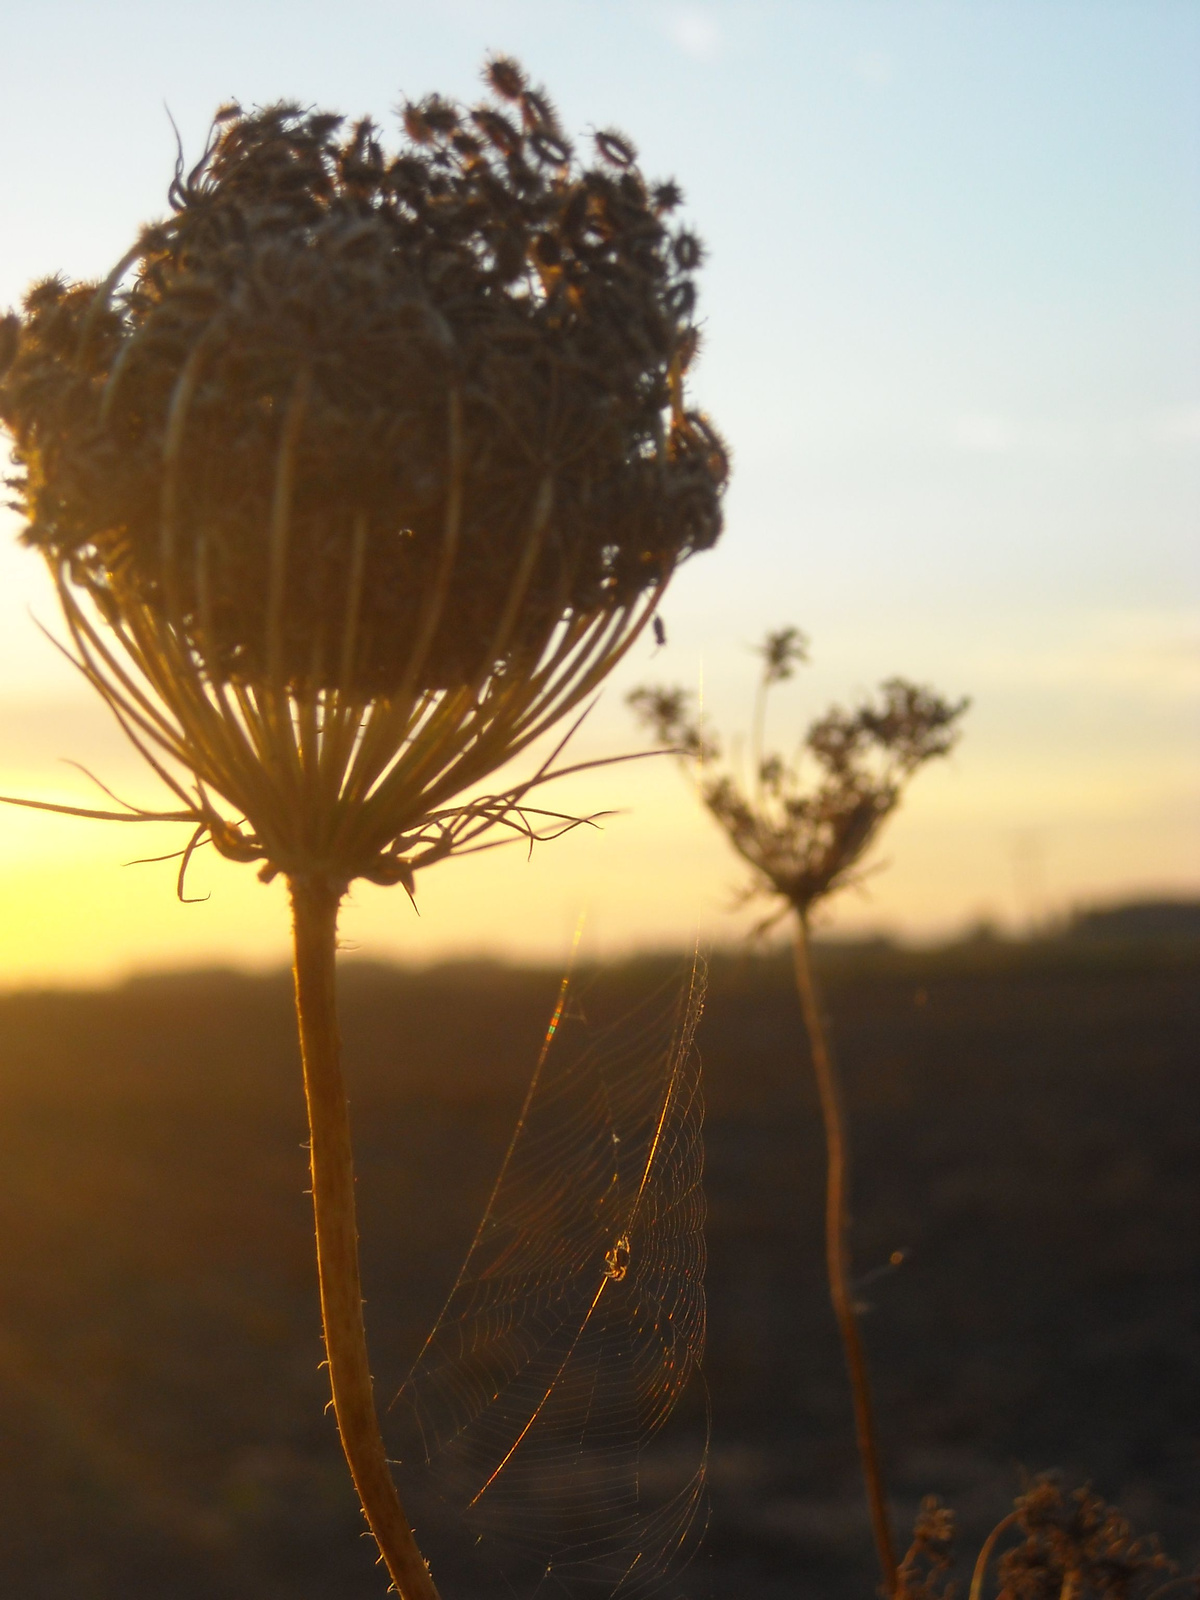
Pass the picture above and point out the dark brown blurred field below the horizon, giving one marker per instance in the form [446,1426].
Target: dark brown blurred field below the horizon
[1026,1126]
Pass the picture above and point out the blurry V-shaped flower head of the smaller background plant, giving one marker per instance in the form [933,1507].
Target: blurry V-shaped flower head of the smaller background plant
[806,838]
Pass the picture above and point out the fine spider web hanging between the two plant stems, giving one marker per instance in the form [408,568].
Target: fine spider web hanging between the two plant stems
[542,1398]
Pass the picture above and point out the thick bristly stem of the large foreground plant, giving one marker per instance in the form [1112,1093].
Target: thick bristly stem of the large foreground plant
[316,905]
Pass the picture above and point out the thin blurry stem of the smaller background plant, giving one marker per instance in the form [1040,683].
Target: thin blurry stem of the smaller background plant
[838,1255]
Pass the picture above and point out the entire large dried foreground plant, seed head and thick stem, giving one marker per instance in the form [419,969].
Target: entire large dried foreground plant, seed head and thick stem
[358,476]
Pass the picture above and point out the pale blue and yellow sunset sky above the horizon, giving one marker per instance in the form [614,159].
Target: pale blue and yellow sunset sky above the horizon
[953,334]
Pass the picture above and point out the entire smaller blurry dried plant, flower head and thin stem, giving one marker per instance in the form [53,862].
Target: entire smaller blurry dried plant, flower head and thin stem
[806,839]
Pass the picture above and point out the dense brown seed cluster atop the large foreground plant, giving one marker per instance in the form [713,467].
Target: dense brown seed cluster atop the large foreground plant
[354,418]
